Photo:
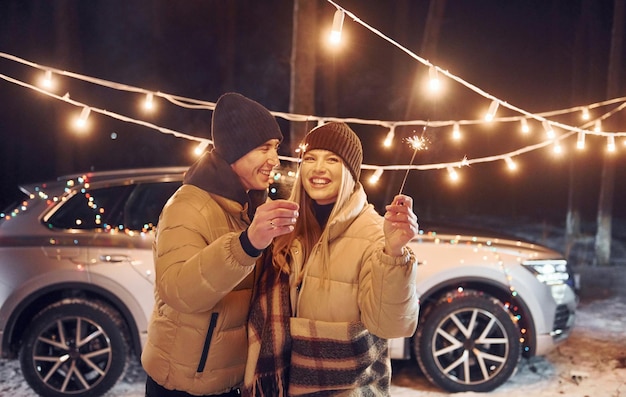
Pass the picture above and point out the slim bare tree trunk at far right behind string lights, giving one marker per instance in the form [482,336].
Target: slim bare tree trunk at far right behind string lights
[607,183]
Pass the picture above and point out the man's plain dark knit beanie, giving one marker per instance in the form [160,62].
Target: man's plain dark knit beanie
[239,125]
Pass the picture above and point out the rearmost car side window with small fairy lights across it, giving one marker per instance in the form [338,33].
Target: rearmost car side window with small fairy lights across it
[92,209]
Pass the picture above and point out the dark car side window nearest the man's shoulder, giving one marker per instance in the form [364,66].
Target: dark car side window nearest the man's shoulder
[145,203]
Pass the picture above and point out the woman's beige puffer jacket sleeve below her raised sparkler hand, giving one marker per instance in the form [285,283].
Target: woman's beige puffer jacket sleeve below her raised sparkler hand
[387,295]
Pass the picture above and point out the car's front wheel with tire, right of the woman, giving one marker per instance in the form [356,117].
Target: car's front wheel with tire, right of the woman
[468,342]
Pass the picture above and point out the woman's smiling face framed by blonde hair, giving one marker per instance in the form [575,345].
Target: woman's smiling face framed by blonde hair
[321,175]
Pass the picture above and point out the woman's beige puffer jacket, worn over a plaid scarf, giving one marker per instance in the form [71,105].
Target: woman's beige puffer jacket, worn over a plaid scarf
[364,284]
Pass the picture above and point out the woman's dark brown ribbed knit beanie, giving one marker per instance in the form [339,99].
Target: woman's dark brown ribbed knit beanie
[338,138]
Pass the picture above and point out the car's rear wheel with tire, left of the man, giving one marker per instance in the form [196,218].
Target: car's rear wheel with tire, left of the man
[74,347]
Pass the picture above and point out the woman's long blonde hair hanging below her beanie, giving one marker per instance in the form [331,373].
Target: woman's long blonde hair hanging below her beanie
[307,229]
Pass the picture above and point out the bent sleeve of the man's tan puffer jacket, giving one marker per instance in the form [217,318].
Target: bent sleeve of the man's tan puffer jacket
[198,258]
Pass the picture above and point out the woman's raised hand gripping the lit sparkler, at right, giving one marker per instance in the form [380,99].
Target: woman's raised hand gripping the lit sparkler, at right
[400,225]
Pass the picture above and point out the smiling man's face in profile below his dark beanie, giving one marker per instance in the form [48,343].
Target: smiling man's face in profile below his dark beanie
[255,167]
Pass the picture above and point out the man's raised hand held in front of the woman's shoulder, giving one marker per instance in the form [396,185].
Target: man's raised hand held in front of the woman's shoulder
[270,220]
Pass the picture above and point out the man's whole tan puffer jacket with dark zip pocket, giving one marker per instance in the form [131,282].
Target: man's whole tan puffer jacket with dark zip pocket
[197,334]
